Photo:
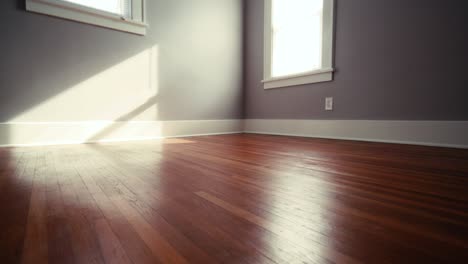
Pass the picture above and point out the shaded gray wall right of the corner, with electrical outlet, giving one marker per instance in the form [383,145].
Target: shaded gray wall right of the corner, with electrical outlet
[395,59]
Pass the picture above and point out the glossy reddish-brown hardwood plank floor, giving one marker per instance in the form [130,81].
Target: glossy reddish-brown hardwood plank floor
[234,199]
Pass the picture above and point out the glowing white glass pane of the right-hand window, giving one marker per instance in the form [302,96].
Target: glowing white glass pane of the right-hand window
[296,36]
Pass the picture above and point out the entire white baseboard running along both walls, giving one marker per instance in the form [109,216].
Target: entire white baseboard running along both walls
[430,133]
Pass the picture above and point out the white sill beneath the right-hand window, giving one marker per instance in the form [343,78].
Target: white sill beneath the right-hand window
[322,75]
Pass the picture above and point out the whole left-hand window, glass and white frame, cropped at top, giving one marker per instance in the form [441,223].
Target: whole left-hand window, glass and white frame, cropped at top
[123,15]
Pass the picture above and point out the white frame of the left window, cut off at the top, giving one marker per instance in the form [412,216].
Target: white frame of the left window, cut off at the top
[136,24]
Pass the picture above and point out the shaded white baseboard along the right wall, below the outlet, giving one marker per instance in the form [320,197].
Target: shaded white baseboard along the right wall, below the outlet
[430,133]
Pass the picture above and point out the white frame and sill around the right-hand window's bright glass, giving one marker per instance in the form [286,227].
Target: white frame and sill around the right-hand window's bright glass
[321,75]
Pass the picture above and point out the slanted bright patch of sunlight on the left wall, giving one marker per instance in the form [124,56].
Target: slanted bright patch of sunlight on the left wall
[102,104]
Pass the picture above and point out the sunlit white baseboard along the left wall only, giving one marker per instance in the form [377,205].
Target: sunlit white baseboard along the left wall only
[59,133]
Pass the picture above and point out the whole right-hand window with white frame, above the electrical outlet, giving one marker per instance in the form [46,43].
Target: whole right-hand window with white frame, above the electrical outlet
[298,42]
